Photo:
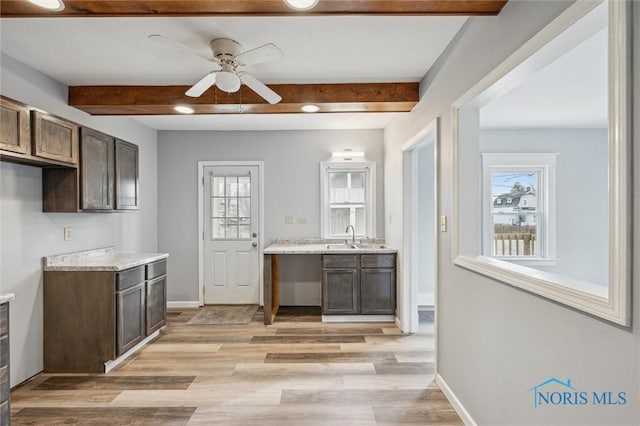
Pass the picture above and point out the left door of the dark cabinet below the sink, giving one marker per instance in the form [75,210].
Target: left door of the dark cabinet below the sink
[340,293]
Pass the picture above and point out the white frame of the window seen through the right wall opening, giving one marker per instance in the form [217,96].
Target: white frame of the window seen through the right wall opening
[546,231]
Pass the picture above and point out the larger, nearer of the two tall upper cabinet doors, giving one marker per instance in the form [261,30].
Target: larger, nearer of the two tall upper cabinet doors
[96,170]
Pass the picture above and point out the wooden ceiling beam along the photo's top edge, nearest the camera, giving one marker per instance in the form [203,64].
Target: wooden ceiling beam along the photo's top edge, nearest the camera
[156,8]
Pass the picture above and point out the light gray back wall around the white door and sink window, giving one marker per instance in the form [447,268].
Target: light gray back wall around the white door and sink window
[292,188]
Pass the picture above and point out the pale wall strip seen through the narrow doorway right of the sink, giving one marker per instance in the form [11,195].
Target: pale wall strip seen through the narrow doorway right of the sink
[426,221]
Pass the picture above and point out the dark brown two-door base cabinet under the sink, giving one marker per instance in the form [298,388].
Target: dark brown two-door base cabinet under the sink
[358,284]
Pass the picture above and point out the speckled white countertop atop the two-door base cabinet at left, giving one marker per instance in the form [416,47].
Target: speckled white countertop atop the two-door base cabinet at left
[104,259]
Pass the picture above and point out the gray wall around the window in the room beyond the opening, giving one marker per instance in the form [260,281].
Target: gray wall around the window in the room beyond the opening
[582,195]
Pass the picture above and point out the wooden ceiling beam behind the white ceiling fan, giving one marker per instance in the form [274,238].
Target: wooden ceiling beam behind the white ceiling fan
[160,100]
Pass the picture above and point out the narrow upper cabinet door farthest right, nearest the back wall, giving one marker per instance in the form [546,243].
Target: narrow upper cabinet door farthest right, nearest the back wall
[127,197]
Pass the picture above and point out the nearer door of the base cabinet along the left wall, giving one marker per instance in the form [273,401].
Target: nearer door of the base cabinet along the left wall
[131,314]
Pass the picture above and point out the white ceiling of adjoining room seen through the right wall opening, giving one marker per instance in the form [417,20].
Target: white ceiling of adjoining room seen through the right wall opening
[570,92]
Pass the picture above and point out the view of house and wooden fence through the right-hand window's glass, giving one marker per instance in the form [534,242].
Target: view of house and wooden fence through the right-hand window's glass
[515,212]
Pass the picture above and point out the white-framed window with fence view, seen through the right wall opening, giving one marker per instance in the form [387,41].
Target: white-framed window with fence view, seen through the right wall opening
[519,212]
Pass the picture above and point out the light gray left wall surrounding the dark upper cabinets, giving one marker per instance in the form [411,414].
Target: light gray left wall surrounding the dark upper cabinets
[27,234]
